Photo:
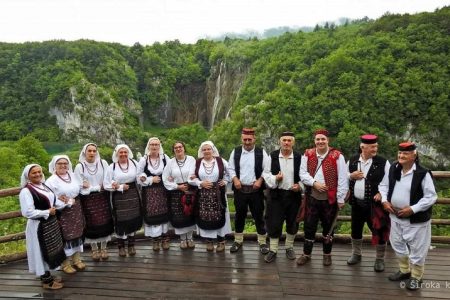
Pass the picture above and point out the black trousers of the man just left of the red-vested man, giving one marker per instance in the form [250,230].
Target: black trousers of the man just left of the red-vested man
[282,206]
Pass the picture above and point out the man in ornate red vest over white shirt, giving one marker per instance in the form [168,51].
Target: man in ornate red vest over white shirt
[324,171]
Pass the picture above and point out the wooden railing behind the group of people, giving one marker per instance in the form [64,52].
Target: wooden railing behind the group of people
[338,237]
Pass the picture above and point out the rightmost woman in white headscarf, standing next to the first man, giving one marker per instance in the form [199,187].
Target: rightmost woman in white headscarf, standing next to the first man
[211,176]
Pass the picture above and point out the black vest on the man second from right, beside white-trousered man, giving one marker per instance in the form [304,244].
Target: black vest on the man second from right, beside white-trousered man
[373,178]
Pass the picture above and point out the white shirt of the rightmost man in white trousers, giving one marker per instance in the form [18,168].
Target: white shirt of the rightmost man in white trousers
[402,190]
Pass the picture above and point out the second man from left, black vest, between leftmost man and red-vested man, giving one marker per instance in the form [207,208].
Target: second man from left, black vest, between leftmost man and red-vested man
[283,179]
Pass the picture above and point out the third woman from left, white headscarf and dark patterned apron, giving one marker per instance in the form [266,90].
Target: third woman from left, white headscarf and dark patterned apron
[91,171]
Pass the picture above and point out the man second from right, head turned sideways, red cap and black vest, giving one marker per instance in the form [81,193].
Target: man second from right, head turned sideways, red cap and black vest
[366,170]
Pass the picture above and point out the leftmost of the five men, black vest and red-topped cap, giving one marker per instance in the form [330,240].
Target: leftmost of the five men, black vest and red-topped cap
[246,165]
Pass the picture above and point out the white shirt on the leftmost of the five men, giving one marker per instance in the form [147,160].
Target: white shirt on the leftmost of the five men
[247,166]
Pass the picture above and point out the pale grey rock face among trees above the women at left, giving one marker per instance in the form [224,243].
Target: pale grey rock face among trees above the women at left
[92,114]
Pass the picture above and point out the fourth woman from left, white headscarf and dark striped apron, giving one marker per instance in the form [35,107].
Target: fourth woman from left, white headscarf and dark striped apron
[120,179]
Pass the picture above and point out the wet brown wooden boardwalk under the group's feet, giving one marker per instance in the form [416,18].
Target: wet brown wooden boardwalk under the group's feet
[198,274]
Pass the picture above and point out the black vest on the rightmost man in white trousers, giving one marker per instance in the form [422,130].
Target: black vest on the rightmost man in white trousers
[416,191]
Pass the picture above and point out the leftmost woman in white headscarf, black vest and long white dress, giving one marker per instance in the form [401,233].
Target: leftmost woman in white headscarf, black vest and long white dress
[44,241]
